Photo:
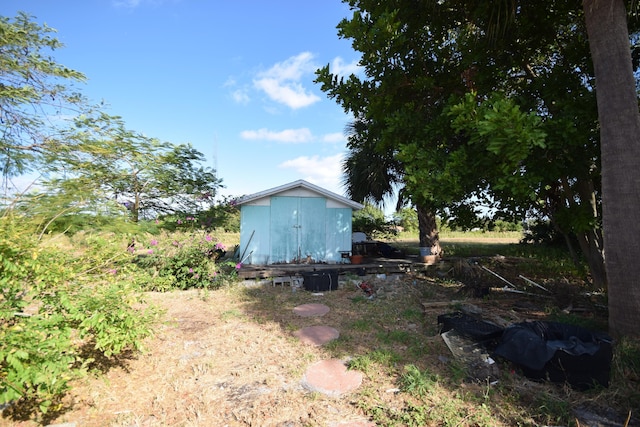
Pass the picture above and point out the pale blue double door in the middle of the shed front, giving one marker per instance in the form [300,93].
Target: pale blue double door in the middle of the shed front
[297,228]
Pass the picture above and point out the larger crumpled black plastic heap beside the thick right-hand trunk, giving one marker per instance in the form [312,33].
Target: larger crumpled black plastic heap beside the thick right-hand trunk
[558,352]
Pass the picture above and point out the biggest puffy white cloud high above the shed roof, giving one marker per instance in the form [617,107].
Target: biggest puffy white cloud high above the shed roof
[282,84]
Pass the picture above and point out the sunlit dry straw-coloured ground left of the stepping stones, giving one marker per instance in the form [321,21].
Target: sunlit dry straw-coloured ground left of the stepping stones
[215,361]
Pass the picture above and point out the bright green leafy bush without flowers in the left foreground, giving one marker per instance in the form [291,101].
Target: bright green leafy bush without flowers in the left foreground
[59,311]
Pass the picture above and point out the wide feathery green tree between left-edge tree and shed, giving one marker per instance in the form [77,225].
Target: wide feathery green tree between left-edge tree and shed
[100,160]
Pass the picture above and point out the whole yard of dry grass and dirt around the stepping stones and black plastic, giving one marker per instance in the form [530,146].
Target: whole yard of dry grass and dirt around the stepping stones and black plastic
[230,357]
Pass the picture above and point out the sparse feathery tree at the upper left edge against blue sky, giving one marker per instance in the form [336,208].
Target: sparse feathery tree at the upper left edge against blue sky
[34,92]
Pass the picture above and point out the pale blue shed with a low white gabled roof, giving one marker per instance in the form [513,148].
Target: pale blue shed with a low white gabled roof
[293,223]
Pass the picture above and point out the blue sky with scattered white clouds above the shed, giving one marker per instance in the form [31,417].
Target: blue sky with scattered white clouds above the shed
[232,77]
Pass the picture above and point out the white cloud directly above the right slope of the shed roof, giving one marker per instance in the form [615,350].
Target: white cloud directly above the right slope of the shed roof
[323,171]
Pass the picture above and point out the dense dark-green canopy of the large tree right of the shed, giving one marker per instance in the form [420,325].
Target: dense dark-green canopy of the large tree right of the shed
[486,109]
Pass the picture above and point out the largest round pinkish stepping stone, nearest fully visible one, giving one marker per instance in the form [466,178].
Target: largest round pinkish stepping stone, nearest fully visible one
[331,377]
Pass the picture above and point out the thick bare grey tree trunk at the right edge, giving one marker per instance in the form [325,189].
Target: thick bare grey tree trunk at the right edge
[620,150]
